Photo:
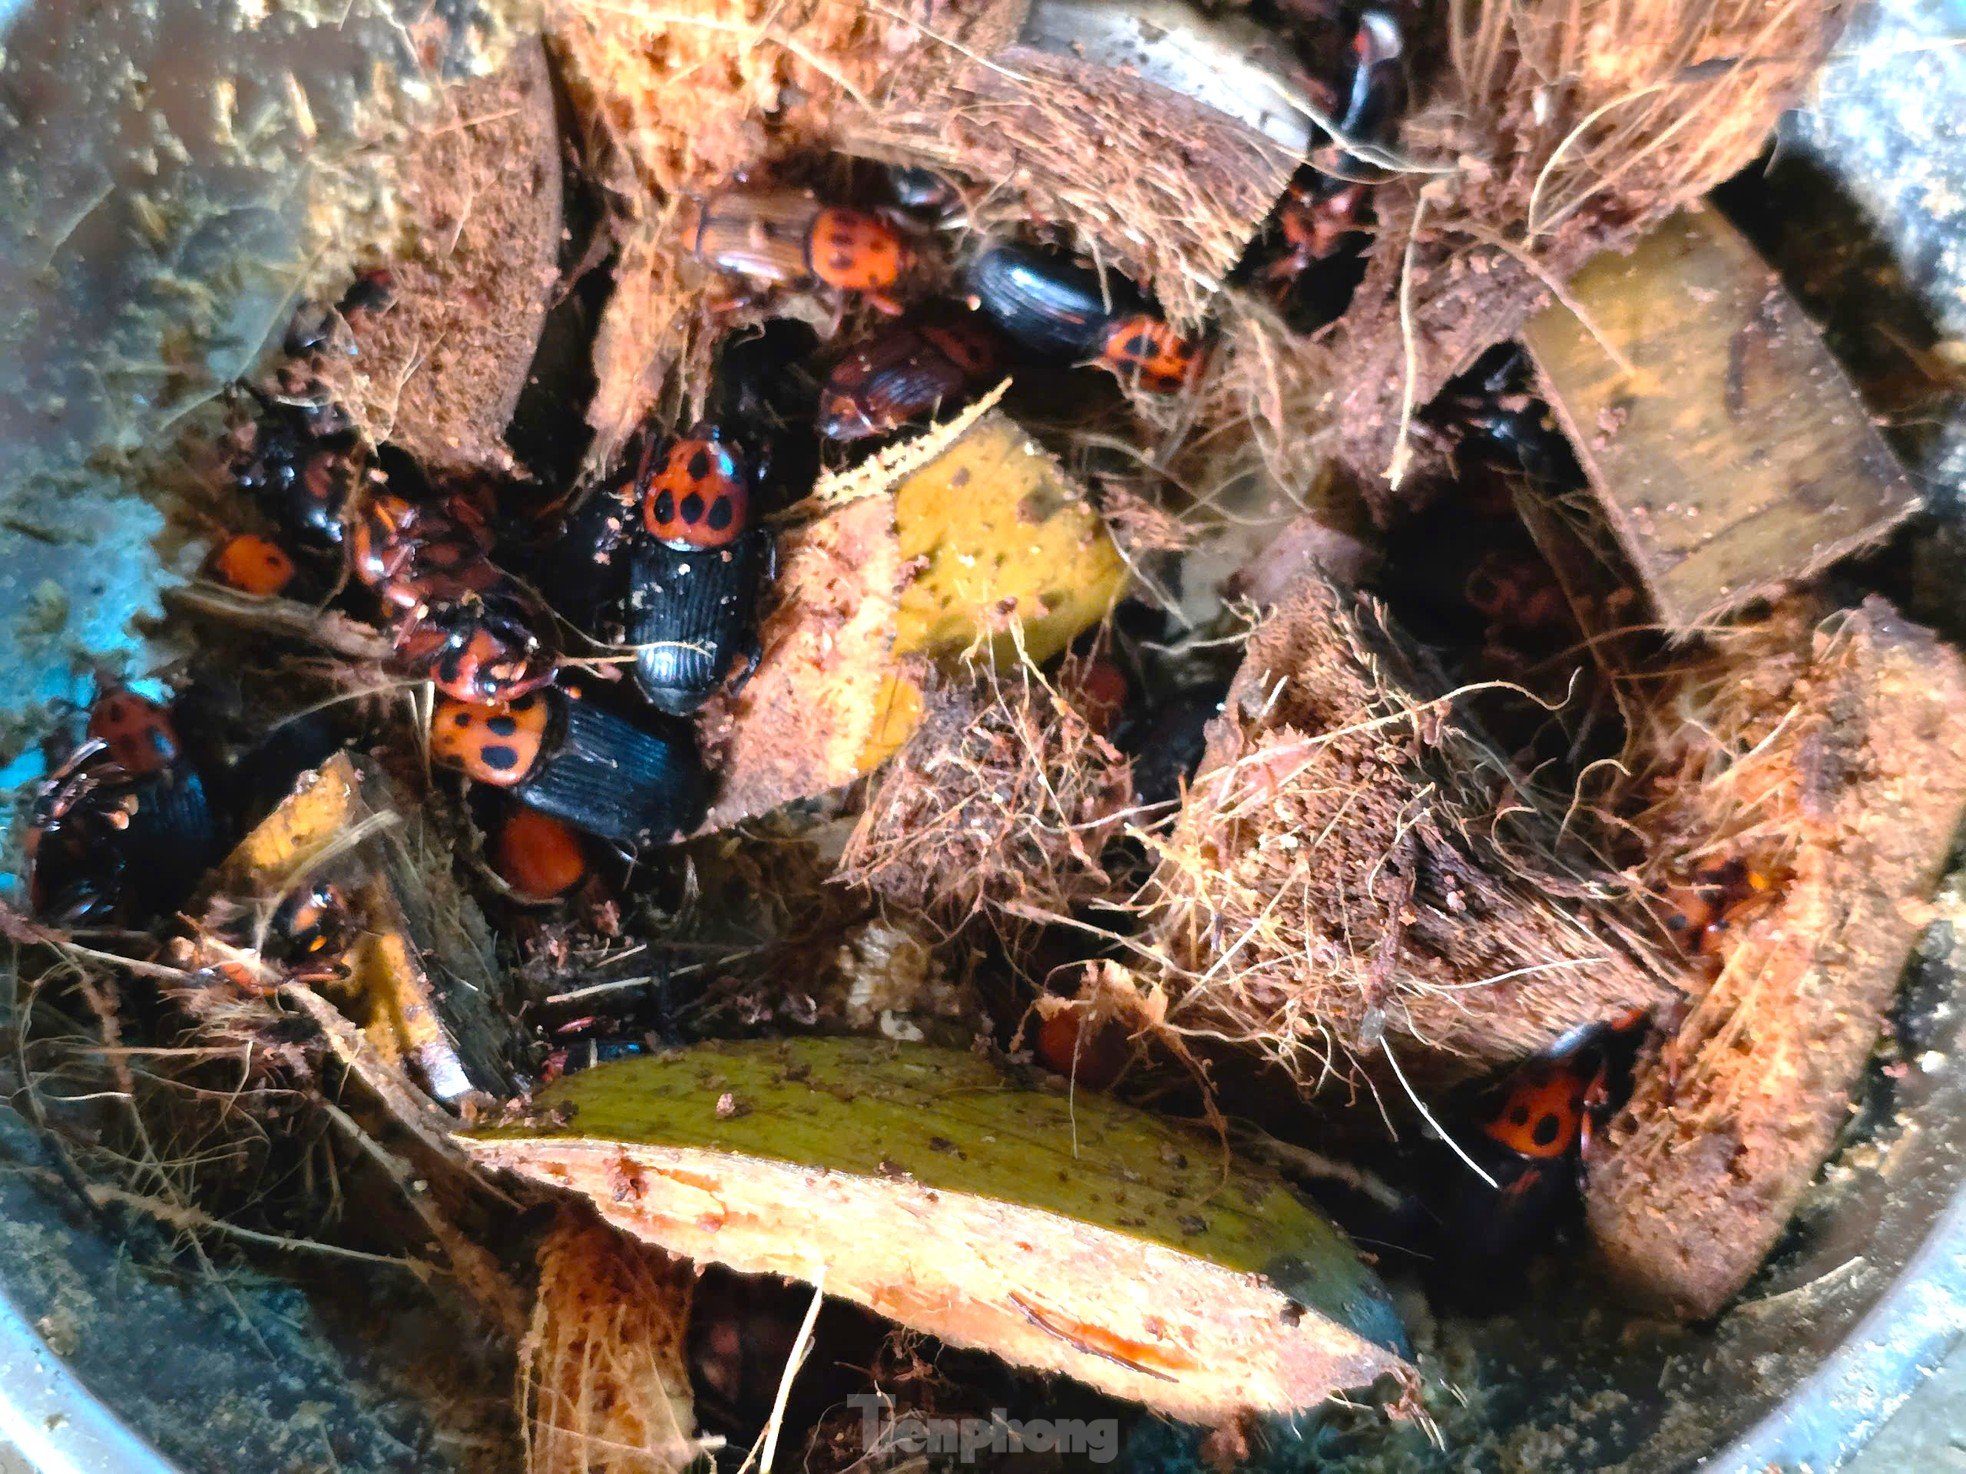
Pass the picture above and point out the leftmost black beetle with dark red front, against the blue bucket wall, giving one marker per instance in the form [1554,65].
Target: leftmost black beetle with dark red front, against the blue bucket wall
[123,828]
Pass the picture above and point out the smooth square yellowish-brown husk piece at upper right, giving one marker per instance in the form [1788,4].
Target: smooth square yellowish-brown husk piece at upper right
[1735,457]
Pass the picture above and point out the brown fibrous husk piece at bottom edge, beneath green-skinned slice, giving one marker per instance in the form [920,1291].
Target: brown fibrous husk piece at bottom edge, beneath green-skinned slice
[605,1383]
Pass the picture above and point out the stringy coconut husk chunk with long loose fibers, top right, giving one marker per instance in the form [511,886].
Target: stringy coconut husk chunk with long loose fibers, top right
[1554,131]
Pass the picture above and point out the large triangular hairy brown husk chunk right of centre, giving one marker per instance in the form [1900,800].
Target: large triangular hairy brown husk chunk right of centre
[1354,874]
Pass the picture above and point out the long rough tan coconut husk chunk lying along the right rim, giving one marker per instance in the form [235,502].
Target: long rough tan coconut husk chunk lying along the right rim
[1827,760]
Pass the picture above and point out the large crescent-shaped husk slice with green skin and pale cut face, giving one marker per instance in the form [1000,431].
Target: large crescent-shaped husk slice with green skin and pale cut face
[1072,1237]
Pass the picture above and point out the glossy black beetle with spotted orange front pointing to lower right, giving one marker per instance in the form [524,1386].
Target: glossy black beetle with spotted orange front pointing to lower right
[1063,310]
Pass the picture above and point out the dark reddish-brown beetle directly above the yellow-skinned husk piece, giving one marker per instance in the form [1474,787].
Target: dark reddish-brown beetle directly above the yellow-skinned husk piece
[909,370]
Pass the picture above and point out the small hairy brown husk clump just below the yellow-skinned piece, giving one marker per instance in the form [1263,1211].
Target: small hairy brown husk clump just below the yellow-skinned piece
[1004,801]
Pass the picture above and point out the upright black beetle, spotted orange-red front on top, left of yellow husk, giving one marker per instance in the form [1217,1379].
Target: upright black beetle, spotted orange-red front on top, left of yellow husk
[695,575]
